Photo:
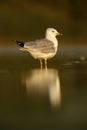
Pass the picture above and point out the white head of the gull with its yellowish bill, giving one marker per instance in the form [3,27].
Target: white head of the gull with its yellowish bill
[51,32]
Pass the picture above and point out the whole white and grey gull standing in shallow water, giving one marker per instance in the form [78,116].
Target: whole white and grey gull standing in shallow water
[43,48]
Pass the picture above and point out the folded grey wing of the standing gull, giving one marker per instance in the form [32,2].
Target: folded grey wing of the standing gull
[42,45]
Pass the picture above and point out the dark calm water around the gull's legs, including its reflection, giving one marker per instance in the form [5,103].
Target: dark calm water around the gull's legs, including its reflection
[55,98]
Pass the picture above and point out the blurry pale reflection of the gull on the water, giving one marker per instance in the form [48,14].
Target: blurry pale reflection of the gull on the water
[45,81]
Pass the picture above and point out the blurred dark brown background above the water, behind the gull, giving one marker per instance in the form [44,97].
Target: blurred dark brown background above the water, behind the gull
[28,19]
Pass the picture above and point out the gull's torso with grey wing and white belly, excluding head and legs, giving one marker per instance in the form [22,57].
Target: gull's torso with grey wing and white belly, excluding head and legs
[40,49]
